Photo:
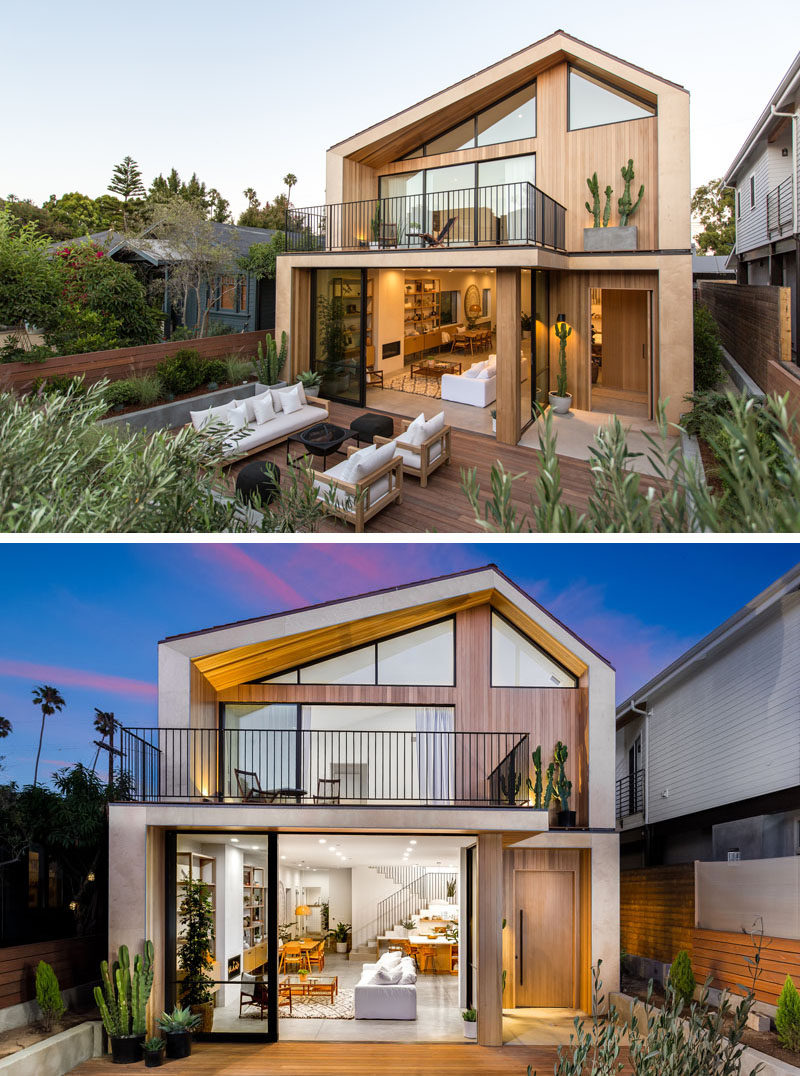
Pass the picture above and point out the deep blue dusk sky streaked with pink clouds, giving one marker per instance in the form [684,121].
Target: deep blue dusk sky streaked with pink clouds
[87,618]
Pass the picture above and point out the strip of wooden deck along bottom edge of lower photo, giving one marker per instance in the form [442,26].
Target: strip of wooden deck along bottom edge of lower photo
[347,1059]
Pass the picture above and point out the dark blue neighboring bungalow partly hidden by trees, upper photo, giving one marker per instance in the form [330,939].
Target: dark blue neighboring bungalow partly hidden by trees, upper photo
[243,303]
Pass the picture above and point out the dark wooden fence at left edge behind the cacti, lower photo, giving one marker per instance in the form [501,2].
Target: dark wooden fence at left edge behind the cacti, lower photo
[75,961]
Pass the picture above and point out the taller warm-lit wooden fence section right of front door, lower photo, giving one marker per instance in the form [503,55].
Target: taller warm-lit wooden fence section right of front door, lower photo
[657,912]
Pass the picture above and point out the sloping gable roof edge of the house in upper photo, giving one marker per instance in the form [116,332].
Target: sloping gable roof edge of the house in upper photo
[560,43]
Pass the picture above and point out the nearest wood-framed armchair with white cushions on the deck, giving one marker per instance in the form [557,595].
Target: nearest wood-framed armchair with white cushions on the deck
[359,501]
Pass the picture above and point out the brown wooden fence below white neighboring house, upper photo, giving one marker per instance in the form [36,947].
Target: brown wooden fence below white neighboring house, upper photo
[755,324]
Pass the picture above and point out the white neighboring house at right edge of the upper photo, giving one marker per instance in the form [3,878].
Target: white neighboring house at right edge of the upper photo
[766,176]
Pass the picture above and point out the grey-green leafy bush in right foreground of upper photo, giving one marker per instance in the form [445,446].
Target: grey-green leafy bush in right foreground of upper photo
[762,490]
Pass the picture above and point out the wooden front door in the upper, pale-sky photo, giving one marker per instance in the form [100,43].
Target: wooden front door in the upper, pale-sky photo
[626,342]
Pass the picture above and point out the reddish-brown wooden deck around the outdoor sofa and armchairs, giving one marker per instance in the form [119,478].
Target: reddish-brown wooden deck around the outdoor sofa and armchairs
[442,507]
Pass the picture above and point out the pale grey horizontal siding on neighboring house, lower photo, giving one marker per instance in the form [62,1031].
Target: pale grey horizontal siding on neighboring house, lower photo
[705,747]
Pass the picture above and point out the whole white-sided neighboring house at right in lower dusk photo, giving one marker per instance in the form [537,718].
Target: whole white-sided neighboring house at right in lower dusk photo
[709,752]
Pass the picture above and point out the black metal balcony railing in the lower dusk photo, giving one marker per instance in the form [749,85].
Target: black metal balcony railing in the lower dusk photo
[325,767]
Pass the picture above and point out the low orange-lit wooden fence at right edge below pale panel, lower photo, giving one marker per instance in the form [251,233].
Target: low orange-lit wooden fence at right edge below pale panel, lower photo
[724,957]
